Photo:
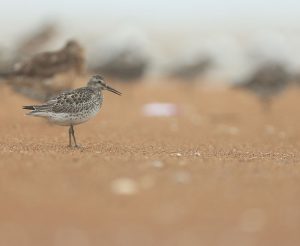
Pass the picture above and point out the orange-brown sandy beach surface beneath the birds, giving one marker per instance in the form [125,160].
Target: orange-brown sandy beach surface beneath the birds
[219,172]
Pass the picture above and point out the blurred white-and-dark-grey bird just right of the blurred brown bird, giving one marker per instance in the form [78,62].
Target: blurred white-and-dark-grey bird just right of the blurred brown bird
[124,55]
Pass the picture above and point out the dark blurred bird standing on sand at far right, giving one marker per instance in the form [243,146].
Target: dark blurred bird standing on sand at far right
[266,82]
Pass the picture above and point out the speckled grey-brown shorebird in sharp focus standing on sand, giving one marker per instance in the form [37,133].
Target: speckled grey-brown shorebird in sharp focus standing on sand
[75,106]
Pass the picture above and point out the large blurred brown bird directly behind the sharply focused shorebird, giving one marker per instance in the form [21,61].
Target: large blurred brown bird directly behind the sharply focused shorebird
[47,73]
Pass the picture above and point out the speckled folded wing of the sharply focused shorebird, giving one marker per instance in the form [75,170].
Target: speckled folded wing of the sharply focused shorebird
[72,101]
